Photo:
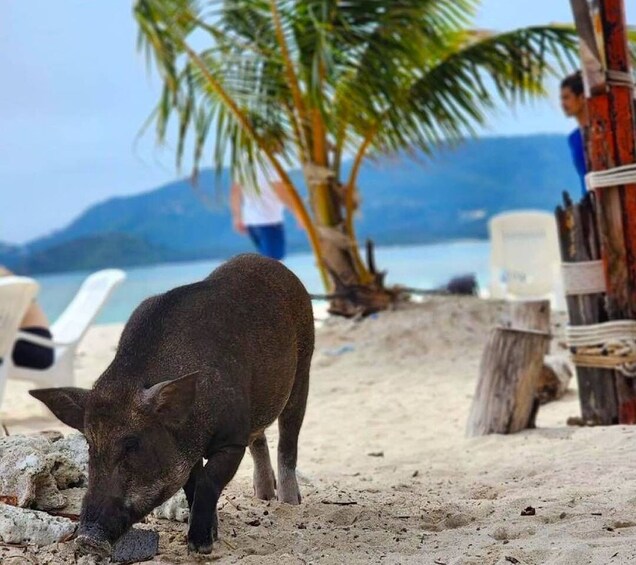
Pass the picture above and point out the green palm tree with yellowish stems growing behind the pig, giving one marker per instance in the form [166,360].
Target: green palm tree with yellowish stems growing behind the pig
[329,80]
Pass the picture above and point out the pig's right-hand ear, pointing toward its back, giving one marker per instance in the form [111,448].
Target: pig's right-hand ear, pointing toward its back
[172,400]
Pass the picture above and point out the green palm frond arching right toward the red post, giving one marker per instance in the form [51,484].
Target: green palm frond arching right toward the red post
[457,92]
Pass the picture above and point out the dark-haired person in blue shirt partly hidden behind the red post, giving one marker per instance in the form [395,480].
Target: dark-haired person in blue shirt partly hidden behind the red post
[574,106]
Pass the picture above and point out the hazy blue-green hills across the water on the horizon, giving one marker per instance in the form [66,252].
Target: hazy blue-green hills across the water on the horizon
[449,196]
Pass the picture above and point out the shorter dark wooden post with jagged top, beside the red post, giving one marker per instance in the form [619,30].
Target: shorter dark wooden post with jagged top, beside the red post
[578,236]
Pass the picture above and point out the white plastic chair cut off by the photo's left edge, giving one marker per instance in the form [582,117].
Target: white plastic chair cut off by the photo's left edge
[16,294]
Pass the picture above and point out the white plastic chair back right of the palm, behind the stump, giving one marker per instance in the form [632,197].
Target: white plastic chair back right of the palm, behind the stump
[525,259]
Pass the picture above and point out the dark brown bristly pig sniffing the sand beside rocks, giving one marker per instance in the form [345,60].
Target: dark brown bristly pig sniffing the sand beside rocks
[200,372]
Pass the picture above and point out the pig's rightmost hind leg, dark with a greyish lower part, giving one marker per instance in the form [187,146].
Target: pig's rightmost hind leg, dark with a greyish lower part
[289,424]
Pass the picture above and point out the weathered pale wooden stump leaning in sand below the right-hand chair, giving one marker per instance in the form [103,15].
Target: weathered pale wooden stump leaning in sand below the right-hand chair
[505,400]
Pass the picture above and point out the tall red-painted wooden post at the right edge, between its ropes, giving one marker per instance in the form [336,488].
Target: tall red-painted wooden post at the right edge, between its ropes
[611,142]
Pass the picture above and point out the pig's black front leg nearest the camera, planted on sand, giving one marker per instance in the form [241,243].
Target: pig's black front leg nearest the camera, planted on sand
[209,481]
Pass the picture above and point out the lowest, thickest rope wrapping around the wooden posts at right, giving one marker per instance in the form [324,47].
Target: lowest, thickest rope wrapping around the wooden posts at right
[610,345]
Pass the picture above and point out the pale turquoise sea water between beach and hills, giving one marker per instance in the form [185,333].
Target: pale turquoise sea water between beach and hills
[422,266]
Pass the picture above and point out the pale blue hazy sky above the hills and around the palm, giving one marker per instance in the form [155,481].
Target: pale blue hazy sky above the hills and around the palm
[75,94]
